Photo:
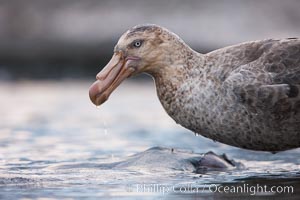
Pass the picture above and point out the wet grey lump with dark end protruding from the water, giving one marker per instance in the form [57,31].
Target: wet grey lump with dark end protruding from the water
[160,158]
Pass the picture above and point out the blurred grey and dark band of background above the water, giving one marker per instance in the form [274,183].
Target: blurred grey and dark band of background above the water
[55,39]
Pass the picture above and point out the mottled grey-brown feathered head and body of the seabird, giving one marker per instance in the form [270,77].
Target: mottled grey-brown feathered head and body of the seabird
[246,95]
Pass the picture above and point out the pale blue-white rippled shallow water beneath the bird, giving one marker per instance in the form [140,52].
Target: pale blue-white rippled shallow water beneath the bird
[55,144]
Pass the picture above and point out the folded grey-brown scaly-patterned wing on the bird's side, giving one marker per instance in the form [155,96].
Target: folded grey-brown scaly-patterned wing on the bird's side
[272,81]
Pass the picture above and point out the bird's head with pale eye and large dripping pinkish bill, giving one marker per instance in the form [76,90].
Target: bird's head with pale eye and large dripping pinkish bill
[143,48]
